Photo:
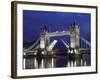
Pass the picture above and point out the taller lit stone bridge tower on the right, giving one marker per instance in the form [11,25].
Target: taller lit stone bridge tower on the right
[75,37]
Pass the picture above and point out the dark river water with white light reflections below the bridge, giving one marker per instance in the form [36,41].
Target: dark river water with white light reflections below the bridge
[57,61]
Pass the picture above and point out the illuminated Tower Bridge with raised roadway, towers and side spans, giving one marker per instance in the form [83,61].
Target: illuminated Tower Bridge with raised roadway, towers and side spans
[76,41]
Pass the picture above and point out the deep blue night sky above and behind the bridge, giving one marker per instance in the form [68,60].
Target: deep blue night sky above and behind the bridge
[55,21]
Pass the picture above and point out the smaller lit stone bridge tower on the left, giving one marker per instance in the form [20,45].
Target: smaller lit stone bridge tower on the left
[43,40]
